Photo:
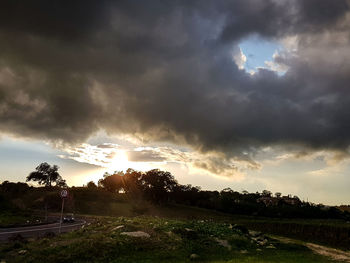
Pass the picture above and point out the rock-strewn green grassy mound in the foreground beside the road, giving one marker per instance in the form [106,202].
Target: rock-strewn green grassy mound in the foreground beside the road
[169,242]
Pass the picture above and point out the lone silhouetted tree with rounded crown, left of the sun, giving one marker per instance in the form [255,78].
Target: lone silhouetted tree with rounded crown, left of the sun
[46,174]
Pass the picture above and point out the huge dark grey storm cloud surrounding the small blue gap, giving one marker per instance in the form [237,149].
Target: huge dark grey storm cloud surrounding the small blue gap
[164,70]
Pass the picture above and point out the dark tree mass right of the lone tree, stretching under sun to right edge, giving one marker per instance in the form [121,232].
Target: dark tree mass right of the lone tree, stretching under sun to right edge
[161,187]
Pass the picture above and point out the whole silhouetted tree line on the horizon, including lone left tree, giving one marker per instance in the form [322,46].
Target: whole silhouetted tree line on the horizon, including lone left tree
[161,188]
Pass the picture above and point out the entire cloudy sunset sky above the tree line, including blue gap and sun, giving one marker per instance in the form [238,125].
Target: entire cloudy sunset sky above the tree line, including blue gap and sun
[246,94]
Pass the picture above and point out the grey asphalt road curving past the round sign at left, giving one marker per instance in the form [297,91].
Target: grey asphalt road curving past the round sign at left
[39,231]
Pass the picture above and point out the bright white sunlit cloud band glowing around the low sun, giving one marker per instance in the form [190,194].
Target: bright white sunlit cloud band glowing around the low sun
[116,157]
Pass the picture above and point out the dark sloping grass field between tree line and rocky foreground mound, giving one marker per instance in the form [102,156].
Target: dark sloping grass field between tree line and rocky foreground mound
[334,233]
